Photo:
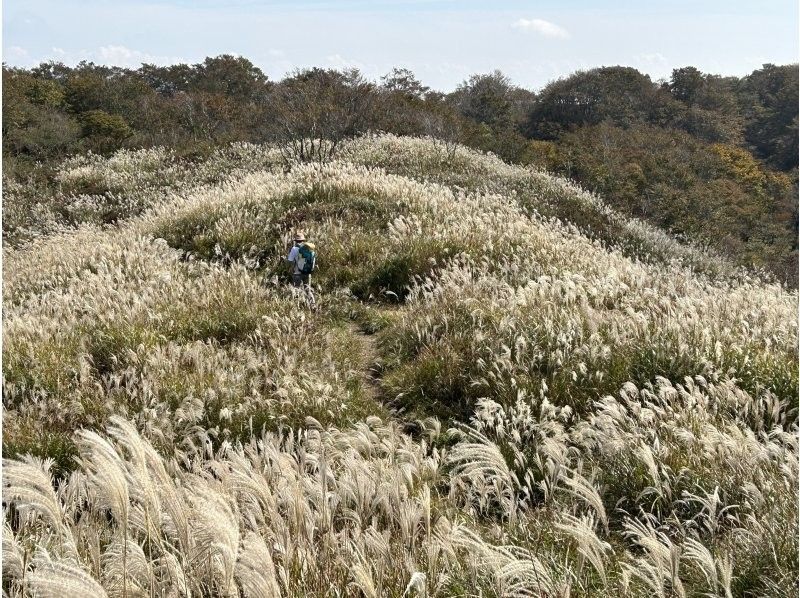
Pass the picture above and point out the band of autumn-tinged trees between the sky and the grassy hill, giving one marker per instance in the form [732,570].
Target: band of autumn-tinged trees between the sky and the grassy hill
[711,158]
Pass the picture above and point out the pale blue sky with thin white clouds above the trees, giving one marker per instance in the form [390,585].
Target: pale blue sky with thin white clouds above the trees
[442,41]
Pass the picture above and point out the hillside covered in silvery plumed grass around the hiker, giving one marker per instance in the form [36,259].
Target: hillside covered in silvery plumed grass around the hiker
[508,388]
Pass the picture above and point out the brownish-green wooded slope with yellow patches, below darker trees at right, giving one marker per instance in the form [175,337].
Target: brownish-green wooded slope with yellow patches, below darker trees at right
[718,194]
